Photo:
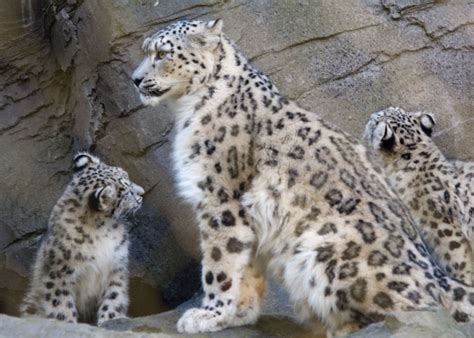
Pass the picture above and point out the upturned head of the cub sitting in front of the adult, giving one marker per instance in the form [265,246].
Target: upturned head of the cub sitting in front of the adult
[103,188]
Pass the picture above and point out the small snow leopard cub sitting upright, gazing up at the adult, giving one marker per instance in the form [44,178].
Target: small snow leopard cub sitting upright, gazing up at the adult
[81,269]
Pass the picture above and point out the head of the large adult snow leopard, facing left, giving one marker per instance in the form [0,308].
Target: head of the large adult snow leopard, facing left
[176,58]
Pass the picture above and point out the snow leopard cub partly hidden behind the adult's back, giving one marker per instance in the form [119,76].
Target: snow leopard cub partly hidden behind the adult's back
[428,183]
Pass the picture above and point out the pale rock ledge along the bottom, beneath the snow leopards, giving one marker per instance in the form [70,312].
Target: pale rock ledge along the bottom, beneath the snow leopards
[426,324]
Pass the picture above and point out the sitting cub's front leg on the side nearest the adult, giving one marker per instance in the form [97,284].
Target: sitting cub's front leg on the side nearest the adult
[114,303]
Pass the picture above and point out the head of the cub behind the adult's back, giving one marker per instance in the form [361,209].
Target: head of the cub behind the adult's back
[396,134]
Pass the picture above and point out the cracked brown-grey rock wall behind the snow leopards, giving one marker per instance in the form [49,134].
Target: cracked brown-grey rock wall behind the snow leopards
[65,85]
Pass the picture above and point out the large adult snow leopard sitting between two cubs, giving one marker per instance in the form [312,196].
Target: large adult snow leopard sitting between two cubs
[275,186]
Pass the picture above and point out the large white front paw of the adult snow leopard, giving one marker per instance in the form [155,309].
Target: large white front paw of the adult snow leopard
[201,320]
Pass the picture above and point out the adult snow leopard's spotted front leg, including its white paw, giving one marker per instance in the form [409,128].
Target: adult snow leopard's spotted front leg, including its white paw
[226,242]
